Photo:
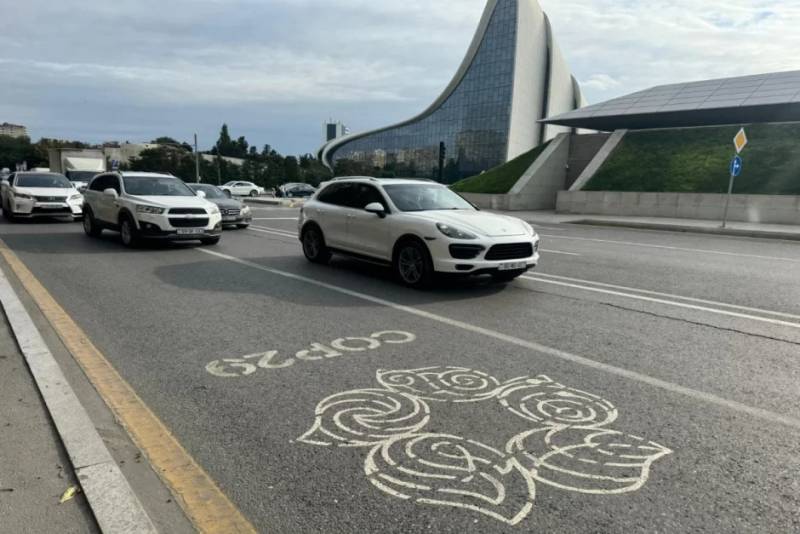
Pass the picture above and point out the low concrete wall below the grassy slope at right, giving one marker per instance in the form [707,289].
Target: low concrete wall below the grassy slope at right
[768,209]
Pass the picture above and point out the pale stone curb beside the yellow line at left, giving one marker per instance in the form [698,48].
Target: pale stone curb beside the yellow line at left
[111,498]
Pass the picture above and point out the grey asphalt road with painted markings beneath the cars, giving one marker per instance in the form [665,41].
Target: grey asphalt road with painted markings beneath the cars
[637,381]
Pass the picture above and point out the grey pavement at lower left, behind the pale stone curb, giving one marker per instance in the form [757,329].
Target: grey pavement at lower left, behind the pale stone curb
[34,468]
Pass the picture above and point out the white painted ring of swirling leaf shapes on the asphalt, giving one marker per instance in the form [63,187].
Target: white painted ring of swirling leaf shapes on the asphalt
[565,443]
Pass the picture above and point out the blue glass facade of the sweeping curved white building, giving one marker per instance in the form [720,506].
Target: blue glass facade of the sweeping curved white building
[472,125]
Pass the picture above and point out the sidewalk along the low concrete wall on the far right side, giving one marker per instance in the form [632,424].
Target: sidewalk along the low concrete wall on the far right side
[741,229]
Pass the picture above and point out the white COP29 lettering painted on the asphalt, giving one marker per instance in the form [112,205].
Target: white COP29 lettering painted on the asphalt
[271,360]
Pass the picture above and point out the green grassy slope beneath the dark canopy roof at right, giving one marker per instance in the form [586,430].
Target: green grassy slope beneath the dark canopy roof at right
[697,160]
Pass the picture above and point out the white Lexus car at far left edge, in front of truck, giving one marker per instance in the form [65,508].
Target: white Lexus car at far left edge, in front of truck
[40,194]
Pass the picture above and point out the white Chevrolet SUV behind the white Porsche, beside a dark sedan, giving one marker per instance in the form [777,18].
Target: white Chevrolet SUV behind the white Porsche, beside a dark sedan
[149,206]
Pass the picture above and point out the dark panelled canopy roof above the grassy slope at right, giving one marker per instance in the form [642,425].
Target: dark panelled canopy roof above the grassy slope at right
[762,98]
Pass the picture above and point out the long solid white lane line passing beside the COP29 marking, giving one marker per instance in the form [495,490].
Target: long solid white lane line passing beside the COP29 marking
[556,353]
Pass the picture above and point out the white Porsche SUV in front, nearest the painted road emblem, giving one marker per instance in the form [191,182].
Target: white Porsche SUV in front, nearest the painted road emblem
[418,227]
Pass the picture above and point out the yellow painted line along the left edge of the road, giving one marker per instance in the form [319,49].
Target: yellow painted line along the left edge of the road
[201,499]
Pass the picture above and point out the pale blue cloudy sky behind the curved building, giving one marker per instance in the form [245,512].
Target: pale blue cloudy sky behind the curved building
[276,70]
